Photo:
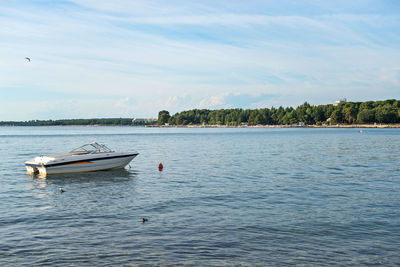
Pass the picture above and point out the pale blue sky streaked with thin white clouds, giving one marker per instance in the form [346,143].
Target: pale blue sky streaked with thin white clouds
[128,58]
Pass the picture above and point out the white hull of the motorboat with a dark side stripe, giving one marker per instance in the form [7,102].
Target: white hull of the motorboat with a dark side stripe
[84,165]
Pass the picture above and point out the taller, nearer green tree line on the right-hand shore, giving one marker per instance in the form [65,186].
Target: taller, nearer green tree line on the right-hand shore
[368,112]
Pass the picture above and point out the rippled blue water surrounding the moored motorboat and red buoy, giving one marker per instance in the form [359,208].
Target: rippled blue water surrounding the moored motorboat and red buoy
[225,197]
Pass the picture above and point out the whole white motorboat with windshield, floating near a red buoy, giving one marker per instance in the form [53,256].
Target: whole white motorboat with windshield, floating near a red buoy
[88,157]
